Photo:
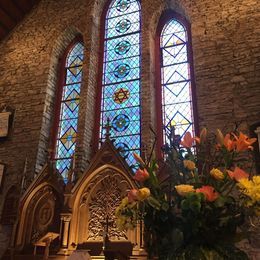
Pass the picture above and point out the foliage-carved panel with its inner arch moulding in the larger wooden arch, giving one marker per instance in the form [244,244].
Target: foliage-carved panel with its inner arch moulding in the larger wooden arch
[101,198]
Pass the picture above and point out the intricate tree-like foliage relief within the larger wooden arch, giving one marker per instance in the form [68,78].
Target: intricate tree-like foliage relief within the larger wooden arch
[102,207]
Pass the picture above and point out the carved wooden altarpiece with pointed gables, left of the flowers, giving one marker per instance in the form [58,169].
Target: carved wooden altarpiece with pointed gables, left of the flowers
[81,213]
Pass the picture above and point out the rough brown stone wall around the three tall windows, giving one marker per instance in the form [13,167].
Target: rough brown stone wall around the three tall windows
[226,53]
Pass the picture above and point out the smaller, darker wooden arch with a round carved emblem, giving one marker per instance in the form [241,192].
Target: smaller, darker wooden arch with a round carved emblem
[39,213]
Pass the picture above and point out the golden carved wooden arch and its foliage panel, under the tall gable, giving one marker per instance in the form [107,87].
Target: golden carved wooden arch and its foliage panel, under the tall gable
[105,185]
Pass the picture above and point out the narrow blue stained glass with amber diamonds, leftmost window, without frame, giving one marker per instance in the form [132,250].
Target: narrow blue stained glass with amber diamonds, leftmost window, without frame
[69,109]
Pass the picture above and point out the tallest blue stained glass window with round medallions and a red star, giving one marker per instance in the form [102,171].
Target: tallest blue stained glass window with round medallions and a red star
[121,77]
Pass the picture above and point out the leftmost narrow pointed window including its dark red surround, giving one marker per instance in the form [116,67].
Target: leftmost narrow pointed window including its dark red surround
[67,106]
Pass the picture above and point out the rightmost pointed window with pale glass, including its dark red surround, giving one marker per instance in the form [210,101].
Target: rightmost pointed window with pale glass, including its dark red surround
[175,82]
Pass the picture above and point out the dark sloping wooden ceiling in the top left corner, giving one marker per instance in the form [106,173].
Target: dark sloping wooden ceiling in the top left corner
[12,12]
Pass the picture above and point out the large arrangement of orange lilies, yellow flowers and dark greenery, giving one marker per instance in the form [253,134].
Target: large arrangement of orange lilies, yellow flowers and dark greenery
[195,210]
